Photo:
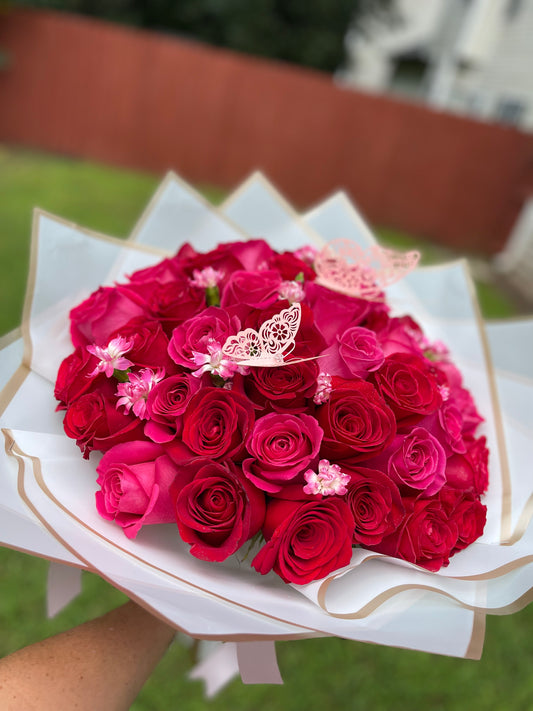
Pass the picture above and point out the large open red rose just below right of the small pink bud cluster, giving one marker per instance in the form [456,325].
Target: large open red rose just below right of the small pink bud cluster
[356,421]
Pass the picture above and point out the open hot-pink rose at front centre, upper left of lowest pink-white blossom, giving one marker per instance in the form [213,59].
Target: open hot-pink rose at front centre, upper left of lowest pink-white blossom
[283,446]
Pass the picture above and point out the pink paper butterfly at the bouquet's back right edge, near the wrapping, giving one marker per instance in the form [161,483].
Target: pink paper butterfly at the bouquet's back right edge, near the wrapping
[350,269]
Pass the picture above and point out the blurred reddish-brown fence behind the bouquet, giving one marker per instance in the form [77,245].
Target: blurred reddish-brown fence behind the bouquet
[146,100]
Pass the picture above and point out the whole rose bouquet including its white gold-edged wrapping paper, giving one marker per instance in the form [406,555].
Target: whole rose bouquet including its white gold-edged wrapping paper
[269,406]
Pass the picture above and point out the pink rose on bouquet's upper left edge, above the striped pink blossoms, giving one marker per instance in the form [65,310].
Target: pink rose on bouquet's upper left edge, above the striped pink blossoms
[99,316]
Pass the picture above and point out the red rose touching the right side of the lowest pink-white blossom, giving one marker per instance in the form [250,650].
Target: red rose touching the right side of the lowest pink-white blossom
[376,504]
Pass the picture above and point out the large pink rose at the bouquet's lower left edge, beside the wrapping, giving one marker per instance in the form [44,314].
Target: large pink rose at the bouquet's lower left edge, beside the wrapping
[134,482]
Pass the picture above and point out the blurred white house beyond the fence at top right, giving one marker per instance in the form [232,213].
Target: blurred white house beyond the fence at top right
[479,54]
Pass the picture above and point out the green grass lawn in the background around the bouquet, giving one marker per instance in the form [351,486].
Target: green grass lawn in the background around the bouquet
[318,674]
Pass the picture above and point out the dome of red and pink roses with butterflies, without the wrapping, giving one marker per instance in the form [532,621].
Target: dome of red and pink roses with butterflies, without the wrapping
[248,394]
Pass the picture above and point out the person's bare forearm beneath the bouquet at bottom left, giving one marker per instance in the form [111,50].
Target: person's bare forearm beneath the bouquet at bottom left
[101,664]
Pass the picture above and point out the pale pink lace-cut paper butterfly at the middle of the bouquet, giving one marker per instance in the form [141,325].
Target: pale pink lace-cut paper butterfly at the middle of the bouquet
[268,346]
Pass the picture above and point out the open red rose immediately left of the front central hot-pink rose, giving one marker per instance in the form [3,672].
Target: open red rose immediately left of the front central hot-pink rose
[217,423]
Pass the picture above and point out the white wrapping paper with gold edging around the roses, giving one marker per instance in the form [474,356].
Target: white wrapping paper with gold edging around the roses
[375,598]
